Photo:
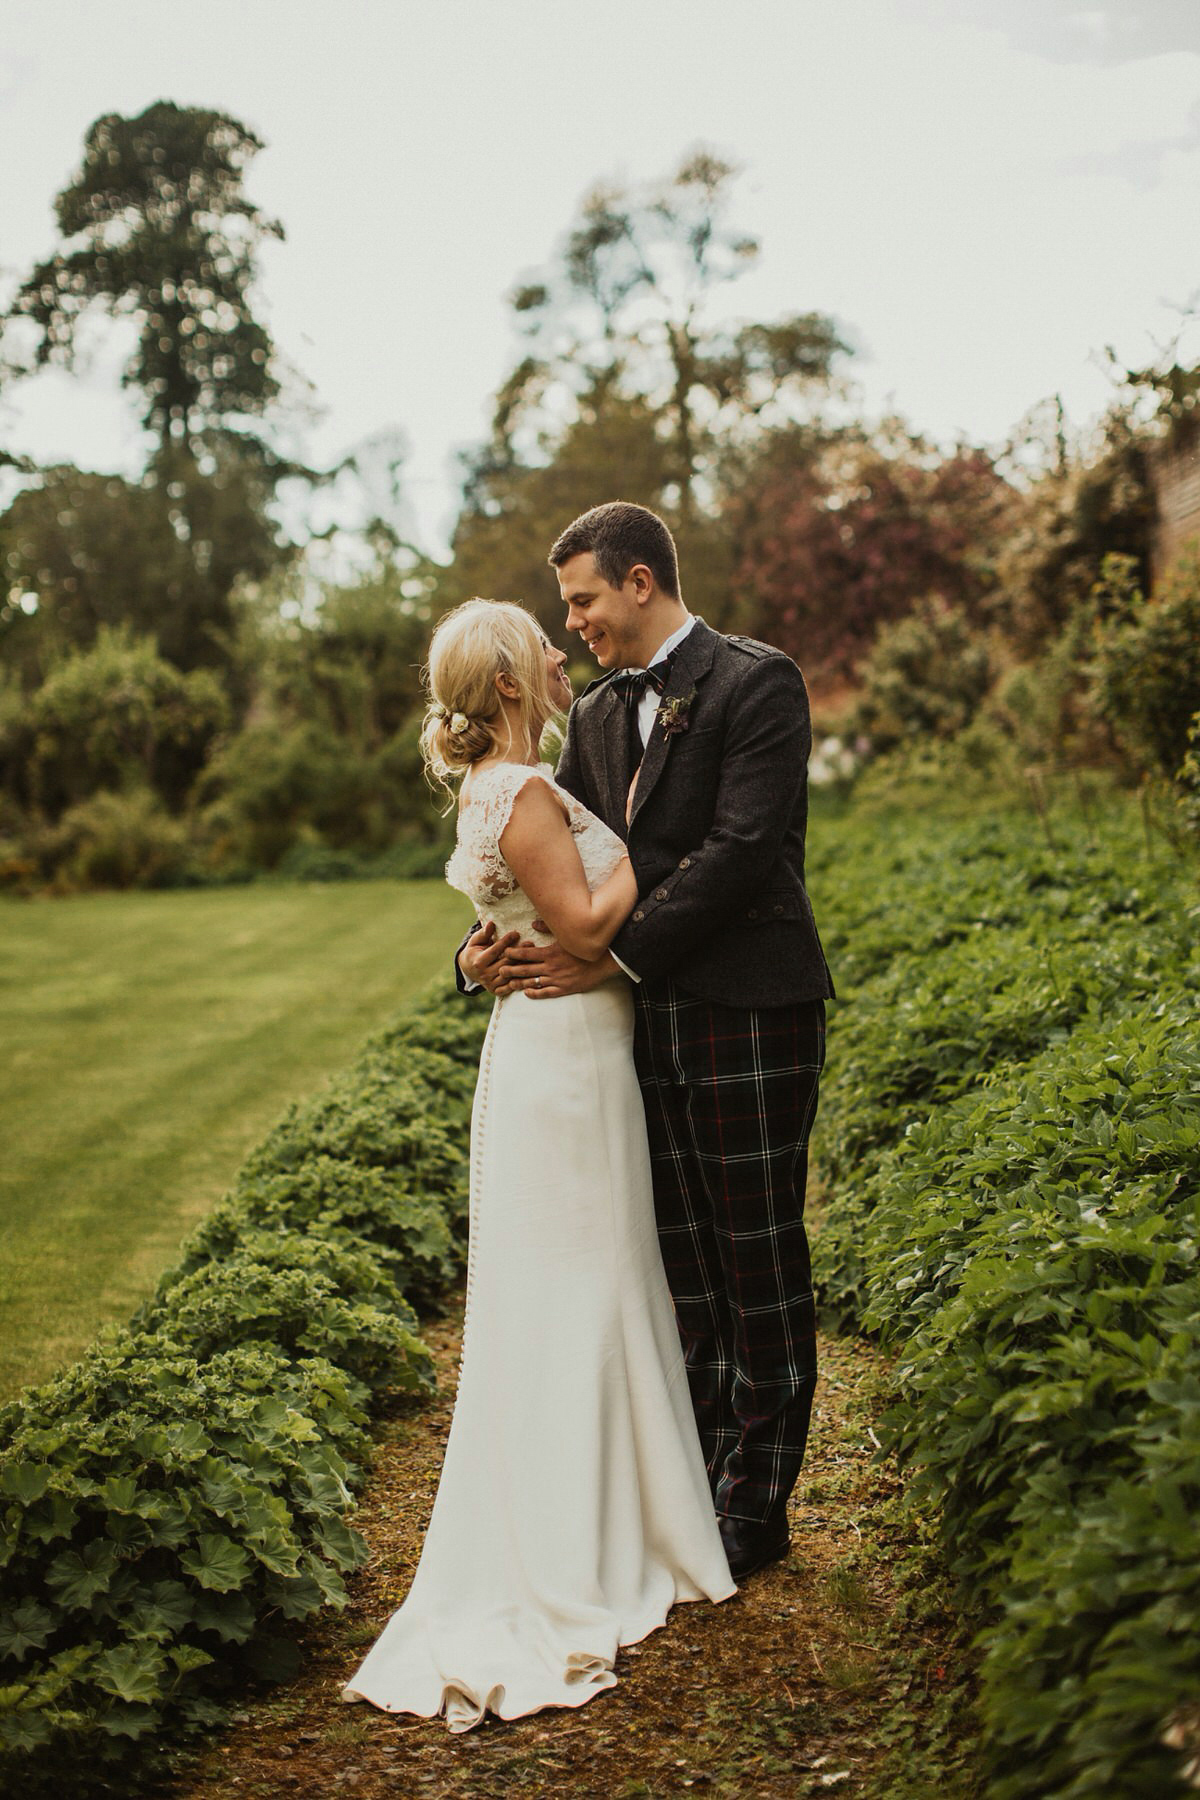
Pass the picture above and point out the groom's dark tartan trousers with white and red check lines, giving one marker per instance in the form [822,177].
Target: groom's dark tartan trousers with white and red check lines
[731,1097]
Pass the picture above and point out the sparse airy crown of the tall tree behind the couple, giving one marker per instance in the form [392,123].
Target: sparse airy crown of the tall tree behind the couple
[631,310]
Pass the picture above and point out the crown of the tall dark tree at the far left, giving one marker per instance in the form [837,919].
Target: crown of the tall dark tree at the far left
[161,231]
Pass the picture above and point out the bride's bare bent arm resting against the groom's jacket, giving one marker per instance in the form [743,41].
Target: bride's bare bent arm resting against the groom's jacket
[542,856]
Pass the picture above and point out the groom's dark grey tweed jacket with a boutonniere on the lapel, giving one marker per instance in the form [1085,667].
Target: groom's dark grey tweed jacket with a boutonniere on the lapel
[717,834]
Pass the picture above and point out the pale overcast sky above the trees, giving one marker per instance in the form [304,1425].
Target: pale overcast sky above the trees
[983,192]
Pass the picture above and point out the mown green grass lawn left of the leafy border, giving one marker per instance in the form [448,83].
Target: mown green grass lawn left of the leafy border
[150,1041]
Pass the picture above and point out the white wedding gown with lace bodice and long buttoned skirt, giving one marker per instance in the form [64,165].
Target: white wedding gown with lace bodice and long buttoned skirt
[573,1507]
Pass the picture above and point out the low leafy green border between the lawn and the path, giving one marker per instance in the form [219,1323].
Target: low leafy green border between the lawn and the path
[174,1502]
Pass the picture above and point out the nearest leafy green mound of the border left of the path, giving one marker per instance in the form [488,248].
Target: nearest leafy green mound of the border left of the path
[161,1513]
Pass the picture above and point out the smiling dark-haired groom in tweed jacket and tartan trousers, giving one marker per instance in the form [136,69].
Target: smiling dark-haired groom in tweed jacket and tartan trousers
[695,750]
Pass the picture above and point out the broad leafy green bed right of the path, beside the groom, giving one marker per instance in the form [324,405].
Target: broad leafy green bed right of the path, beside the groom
[1012,1140]
